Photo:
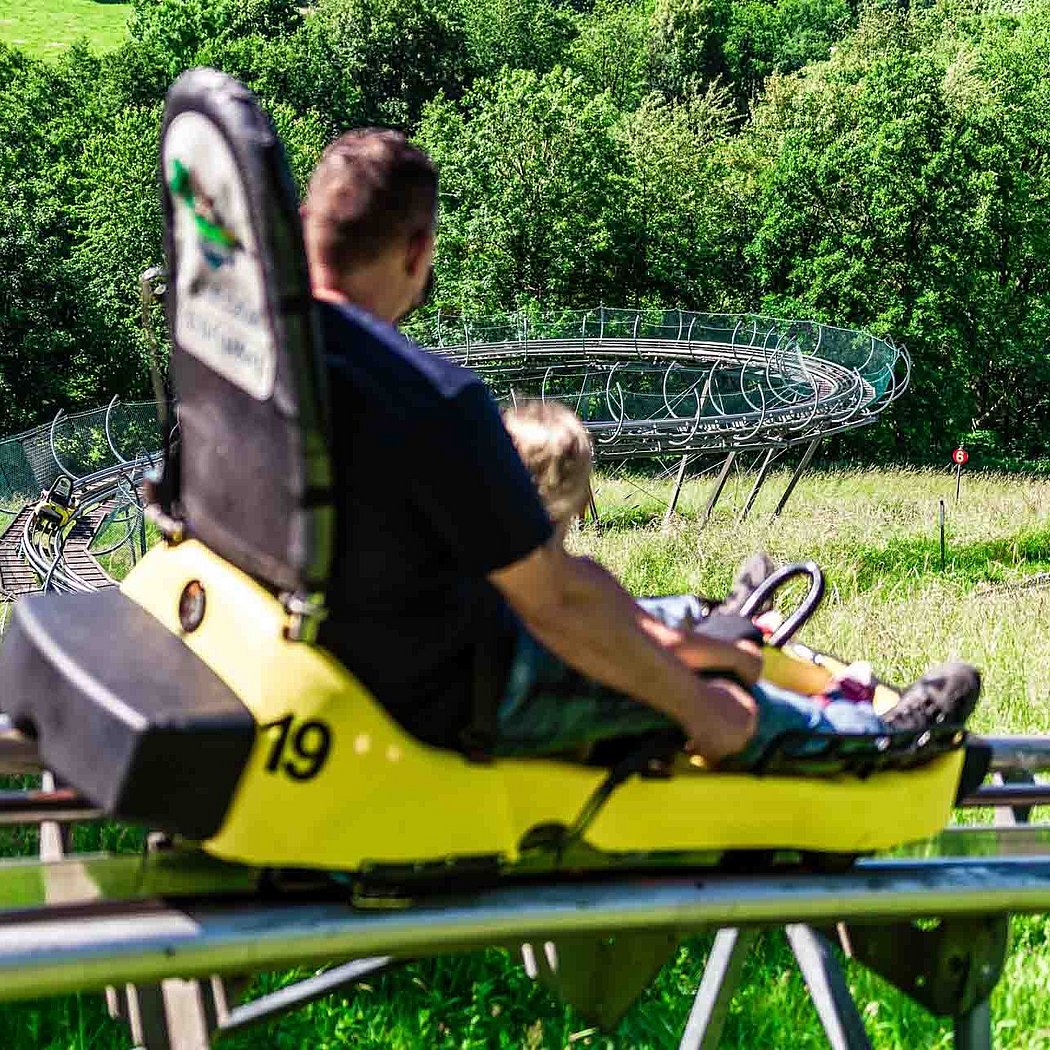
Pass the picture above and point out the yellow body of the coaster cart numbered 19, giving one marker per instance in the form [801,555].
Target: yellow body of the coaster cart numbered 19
[382,797]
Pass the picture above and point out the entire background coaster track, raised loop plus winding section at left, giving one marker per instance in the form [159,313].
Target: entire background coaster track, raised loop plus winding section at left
[647,384]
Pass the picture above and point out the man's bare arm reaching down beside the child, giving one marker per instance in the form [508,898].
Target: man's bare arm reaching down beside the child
[579,612]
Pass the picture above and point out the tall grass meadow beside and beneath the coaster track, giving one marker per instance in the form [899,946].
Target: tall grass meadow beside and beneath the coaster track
[875,533]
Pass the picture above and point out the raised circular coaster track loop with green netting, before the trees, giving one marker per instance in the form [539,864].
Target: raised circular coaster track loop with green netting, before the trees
[653,384]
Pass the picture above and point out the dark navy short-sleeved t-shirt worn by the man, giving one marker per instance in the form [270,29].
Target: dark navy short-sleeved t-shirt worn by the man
[431,497]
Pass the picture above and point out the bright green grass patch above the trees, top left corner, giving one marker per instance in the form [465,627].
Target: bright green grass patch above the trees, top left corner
[48,28]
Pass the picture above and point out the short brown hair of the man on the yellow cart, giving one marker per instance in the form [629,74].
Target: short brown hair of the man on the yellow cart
[371,190]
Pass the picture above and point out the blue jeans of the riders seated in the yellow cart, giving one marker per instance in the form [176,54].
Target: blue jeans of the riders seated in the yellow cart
[548,707]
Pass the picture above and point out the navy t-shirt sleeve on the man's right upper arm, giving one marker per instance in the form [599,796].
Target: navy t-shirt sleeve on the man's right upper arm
[473,488]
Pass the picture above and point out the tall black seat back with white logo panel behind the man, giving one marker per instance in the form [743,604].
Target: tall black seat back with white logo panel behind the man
[254,477]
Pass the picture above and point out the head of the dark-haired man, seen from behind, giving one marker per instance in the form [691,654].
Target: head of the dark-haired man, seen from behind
[369,222]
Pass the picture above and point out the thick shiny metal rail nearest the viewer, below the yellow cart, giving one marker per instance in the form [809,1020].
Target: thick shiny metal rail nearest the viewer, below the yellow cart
[71,949]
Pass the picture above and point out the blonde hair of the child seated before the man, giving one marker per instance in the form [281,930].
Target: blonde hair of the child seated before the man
[556,449]
